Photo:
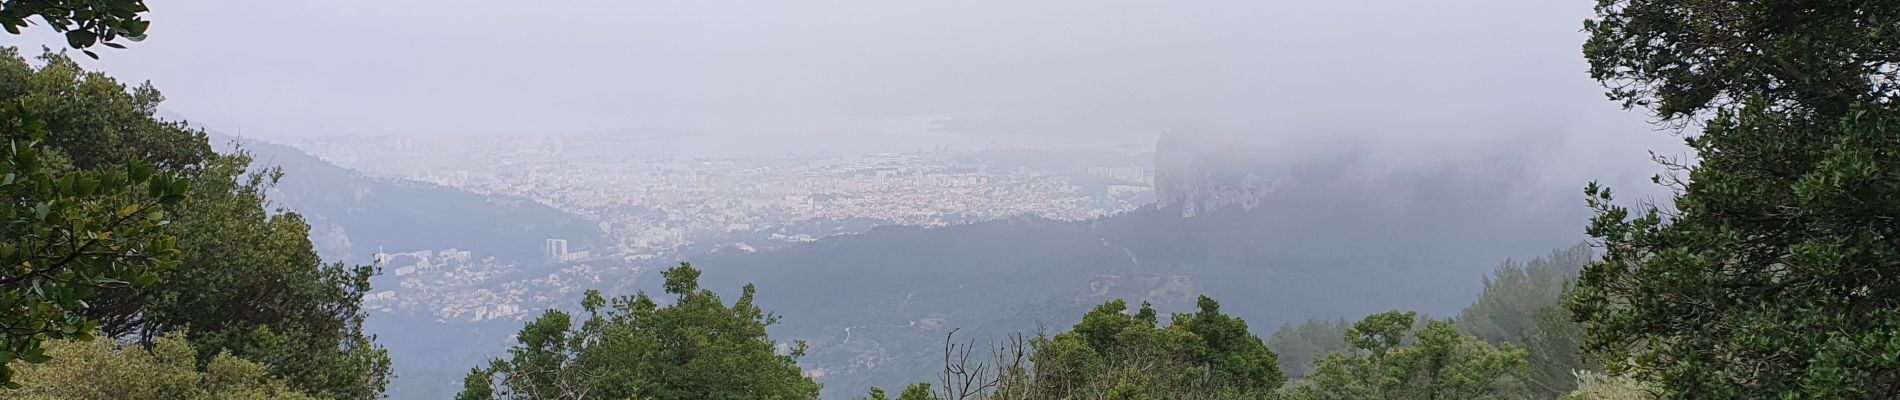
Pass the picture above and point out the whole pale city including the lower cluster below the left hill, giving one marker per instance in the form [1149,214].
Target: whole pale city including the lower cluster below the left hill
[656,206]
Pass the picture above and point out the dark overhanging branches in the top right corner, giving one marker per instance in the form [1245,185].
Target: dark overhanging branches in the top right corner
[1682,58]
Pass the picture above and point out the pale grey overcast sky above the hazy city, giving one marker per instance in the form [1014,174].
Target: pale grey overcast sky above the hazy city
[1416,79]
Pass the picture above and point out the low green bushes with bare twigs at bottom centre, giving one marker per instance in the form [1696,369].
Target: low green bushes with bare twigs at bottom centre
[1116,355]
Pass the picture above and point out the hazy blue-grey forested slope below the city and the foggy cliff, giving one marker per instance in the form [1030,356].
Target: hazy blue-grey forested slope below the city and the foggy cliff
[1327,242]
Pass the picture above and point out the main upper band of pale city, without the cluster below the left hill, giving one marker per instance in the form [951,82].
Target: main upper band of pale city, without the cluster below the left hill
[660,204]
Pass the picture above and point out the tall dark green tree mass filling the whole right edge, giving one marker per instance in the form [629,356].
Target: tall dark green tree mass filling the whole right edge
[1776,270]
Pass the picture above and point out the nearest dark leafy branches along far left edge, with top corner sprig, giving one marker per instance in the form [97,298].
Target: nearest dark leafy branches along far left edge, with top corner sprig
[69,232]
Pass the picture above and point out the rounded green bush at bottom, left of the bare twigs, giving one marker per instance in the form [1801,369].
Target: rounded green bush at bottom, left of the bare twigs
[634,348]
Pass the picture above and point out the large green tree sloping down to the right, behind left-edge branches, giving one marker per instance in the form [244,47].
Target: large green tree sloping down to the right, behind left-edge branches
[248,280]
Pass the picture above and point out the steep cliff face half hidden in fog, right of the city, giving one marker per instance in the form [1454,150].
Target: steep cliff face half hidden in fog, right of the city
[1202,173]
